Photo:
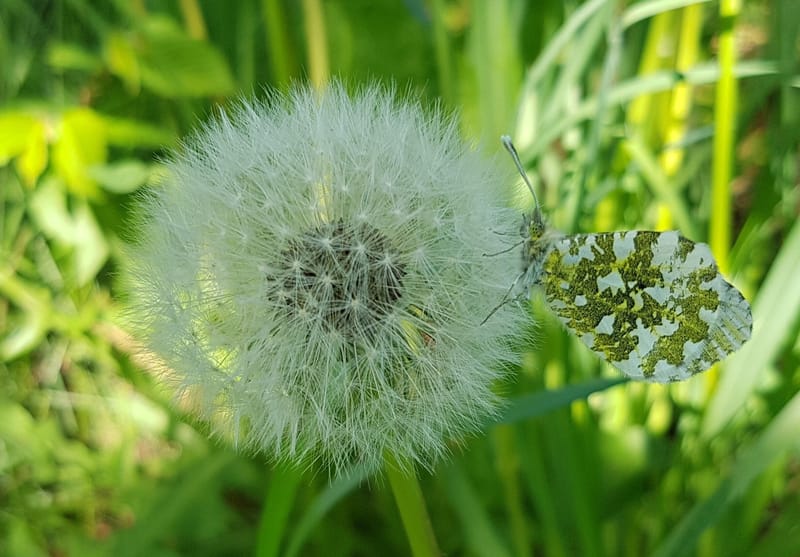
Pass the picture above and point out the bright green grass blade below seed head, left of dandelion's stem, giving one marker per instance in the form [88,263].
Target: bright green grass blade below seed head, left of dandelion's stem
[275,514]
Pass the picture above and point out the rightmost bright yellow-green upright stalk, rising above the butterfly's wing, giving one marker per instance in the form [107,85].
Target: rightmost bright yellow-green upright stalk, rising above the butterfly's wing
[724,136]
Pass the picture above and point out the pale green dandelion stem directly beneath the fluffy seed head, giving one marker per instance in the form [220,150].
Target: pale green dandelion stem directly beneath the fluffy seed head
[411,504]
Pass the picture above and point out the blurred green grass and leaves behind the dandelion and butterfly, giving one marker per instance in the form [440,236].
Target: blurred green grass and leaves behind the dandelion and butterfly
[642,114]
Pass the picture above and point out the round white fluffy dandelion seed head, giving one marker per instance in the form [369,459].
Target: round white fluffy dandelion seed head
[312,273]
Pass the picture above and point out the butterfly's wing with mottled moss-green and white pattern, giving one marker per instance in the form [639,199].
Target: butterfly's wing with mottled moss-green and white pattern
[653,304]
